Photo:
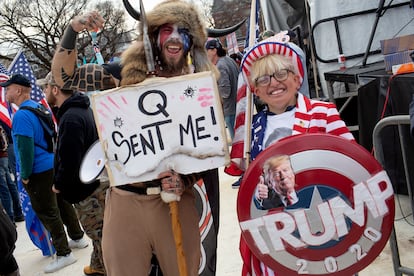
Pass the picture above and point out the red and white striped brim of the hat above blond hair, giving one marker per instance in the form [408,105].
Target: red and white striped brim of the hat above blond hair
[269,47]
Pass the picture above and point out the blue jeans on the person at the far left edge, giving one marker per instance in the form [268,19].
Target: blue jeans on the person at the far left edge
[9,194]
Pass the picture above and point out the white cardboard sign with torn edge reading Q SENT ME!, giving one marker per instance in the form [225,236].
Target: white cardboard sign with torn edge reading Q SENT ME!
[161,124]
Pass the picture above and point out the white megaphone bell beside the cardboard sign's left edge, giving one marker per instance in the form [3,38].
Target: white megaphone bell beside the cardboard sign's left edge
[93,163]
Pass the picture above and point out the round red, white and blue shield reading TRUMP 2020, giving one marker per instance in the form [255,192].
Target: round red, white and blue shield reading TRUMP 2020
[342,216]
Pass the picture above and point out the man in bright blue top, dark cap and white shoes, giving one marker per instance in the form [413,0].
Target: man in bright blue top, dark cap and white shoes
[36,167]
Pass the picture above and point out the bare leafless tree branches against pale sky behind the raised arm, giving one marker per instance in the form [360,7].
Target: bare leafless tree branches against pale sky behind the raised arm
[36,26]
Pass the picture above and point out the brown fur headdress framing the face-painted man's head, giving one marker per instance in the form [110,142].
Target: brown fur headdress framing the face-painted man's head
[185,15]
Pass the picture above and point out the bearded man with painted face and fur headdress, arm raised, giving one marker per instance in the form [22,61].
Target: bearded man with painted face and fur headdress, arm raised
[136,224]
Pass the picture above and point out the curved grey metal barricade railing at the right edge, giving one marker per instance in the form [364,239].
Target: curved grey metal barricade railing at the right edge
[396,120]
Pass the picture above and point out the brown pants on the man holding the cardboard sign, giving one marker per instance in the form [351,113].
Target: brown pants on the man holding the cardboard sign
[136,226]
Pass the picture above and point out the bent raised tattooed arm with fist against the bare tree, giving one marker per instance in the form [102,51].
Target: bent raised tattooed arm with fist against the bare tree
[88,77]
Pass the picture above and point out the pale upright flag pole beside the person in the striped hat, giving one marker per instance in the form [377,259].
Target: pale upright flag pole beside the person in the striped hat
[249,95]
